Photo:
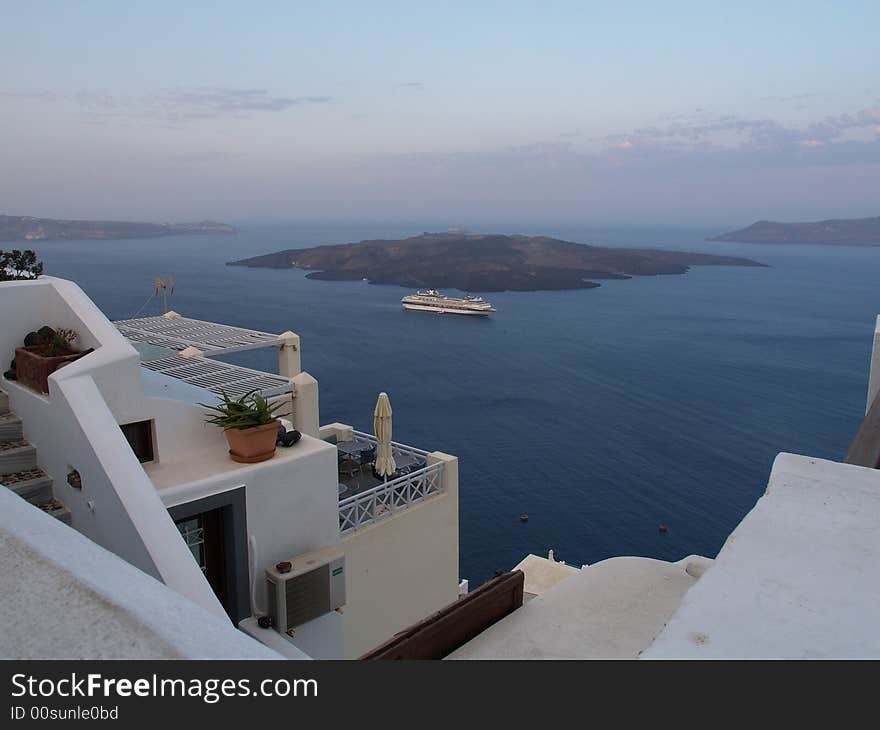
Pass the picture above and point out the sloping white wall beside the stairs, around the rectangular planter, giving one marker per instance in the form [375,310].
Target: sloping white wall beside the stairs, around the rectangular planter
[75,426]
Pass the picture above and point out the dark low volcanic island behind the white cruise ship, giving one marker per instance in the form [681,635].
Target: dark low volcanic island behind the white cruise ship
[484,262]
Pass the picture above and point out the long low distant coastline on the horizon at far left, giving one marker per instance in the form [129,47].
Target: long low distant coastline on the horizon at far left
[26,228]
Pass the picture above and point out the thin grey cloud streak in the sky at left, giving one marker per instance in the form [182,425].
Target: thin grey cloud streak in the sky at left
[175,105]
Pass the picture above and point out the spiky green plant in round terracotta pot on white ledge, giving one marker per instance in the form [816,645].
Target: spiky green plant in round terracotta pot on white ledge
[249,424]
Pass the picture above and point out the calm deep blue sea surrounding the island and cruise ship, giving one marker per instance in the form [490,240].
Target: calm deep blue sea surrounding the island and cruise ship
[600,413]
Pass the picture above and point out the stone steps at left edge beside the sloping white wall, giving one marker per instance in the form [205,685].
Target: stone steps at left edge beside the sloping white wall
[18,466]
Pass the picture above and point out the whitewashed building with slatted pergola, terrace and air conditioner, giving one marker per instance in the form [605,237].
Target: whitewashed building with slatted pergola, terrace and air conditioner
[120,445]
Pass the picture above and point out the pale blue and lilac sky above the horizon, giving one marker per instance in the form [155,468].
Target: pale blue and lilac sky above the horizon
[459,112]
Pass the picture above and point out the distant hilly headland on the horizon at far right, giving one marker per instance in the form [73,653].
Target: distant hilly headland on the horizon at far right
[840,232]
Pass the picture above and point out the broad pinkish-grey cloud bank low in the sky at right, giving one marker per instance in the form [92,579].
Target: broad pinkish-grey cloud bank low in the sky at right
[727,150]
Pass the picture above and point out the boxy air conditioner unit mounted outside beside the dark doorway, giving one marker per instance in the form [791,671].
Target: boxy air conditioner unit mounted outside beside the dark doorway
[314,585]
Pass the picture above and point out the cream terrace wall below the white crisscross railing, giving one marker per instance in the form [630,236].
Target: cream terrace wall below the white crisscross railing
[402,568]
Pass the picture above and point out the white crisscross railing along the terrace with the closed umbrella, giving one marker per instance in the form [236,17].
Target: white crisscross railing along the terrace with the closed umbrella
[386,499]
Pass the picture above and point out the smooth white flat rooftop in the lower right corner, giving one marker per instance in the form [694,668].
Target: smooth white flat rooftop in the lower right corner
[799,578]
